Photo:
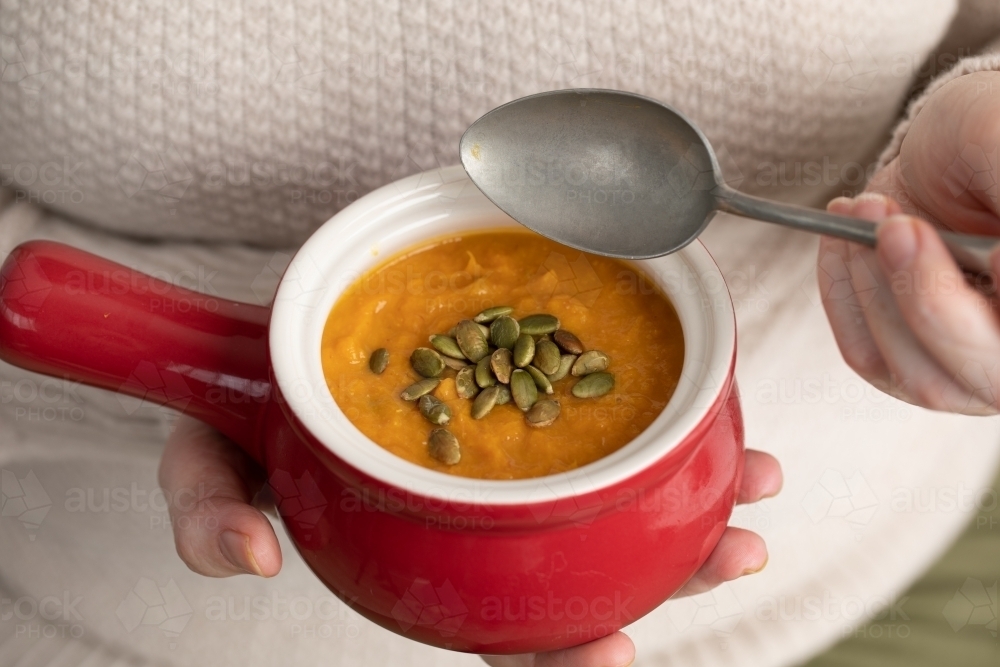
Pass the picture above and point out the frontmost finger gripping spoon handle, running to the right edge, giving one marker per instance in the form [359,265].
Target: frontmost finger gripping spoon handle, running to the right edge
[954,322]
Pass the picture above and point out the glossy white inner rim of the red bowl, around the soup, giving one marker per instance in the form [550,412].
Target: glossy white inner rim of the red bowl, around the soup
[409,209]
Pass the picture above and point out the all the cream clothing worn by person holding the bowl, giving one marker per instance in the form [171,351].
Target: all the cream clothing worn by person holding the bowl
[235,121]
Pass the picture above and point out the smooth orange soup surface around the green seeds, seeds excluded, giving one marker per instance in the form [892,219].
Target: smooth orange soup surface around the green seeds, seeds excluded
[606,302]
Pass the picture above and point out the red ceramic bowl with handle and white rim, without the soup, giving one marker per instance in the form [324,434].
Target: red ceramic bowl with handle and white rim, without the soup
[471,565]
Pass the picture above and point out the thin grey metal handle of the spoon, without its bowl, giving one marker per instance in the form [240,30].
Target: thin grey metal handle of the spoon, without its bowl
[971,252]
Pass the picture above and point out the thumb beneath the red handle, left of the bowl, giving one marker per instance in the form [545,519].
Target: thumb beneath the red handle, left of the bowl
[210,483]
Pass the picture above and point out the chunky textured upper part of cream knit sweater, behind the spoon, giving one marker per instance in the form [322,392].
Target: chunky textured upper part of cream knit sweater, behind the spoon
[254,122]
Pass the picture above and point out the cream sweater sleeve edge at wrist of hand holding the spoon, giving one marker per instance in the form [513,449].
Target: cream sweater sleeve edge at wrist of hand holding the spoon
[977,23]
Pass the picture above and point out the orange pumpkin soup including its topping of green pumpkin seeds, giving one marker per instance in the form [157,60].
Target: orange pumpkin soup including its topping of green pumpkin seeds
[502,355]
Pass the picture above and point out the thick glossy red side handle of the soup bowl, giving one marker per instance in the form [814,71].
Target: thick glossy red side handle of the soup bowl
[71,314]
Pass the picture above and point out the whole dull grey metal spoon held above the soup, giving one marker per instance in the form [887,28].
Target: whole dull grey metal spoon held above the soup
[623,175]
